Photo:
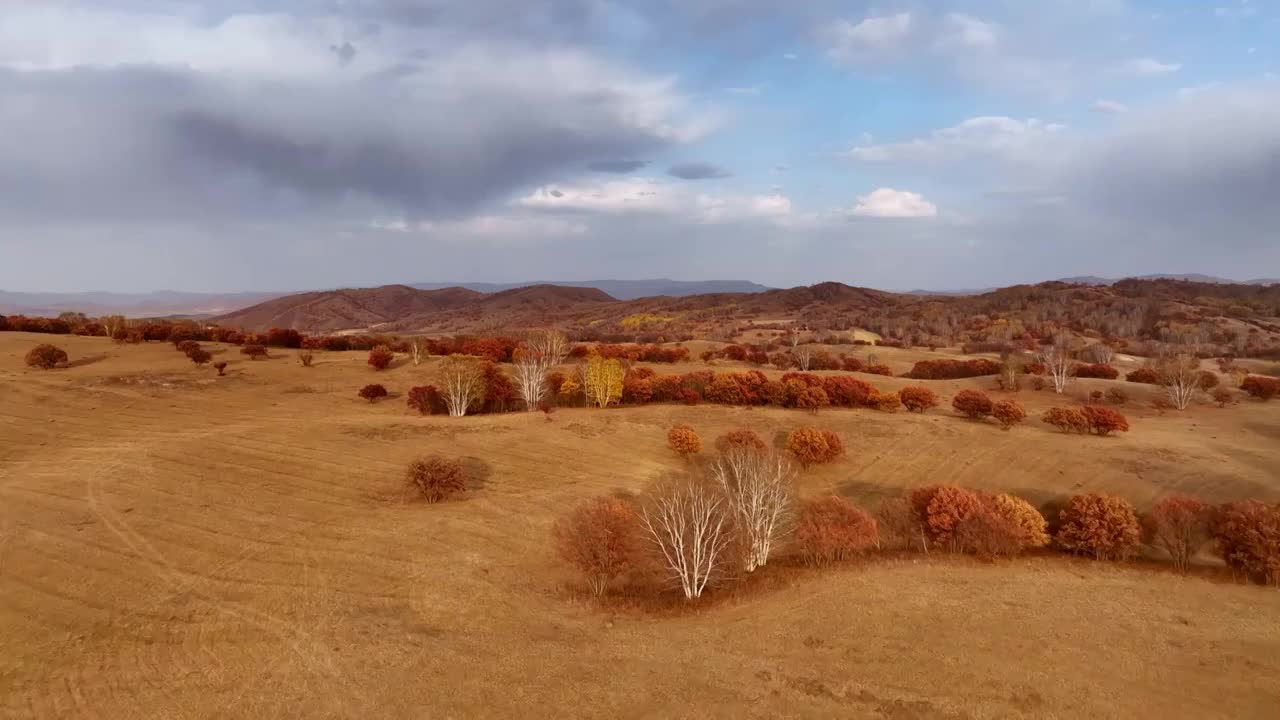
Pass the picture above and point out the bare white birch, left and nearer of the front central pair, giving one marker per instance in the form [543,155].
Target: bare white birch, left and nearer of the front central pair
[691,523]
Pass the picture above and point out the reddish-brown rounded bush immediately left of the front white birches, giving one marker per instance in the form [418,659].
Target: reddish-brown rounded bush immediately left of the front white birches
[601,539]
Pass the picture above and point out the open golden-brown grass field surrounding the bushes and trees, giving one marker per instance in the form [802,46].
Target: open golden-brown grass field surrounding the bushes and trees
[179,545]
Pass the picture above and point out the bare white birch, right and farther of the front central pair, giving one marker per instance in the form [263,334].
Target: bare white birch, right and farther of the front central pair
[757,485]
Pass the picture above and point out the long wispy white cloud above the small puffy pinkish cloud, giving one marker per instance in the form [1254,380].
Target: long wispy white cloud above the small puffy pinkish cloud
[976,138]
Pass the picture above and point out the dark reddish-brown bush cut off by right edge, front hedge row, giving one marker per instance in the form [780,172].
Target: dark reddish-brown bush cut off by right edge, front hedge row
[1249,540]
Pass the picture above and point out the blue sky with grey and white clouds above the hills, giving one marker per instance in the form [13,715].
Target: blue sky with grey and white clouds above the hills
[264,145]
